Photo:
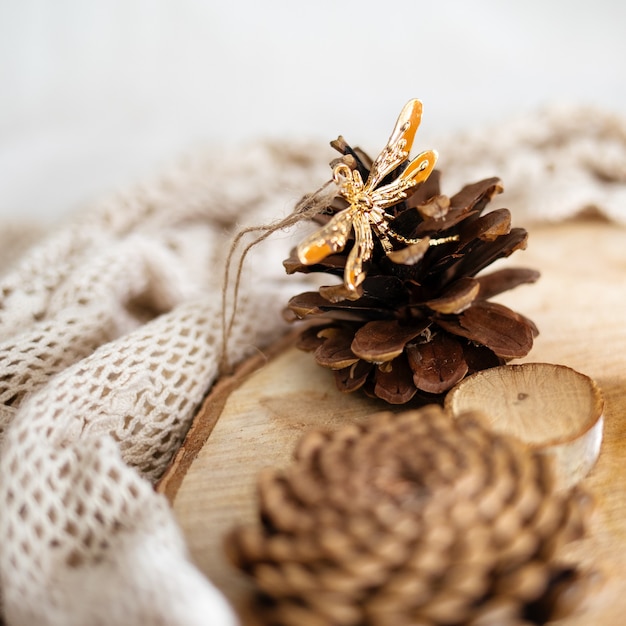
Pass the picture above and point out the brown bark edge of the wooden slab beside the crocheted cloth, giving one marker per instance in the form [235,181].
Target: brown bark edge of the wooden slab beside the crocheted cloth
[210,410]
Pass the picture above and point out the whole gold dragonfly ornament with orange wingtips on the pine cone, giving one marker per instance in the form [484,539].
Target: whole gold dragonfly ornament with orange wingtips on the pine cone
[368,203]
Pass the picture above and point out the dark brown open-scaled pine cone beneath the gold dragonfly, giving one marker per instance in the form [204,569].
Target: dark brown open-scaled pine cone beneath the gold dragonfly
[420,327]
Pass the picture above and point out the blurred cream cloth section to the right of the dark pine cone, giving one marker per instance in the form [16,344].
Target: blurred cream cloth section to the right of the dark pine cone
[555,162]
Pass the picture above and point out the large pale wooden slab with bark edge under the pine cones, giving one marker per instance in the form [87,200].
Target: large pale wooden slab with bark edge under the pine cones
[579,305]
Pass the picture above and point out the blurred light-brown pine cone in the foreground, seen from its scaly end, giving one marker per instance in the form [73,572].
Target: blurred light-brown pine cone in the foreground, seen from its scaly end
[412,519]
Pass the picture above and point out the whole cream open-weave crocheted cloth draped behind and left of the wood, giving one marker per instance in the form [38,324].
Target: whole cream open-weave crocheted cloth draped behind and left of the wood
[110,335]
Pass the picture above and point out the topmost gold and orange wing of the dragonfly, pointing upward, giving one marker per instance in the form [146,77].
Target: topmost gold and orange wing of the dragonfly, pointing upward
[399,145]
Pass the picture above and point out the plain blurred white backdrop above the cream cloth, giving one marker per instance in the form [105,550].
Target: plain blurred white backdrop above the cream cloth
[96,94]
